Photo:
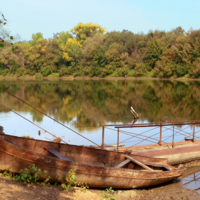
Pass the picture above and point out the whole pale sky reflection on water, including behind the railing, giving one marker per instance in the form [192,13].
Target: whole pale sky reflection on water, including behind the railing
[14,125]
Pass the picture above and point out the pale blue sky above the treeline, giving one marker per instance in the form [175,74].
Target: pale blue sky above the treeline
[26,17]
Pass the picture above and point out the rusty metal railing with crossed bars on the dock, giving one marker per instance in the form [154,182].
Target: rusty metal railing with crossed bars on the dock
[148,133]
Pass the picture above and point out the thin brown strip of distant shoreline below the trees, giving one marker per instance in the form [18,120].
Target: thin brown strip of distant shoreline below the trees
[98,78]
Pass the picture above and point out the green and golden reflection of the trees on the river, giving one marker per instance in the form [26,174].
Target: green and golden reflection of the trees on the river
[91,103]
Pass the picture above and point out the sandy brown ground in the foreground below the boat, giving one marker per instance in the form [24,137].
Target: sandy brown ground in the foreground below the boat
[12,190]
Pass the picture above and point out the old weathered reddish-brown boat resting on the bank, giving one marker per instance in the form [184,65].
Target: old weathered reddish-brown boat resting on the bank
[96,167]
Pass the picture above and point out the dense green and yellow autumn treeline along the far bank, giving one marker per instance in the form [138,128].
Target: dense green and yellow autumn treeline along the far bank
[88,50]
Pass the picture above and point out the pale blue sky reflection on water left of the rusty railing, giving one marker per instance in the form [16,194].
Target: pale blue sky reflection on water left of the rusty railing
[14,125]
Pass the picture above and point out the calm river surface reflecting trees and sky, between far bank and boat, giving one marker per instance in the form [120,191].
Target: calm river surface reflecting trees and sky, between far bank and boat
[84,105]
